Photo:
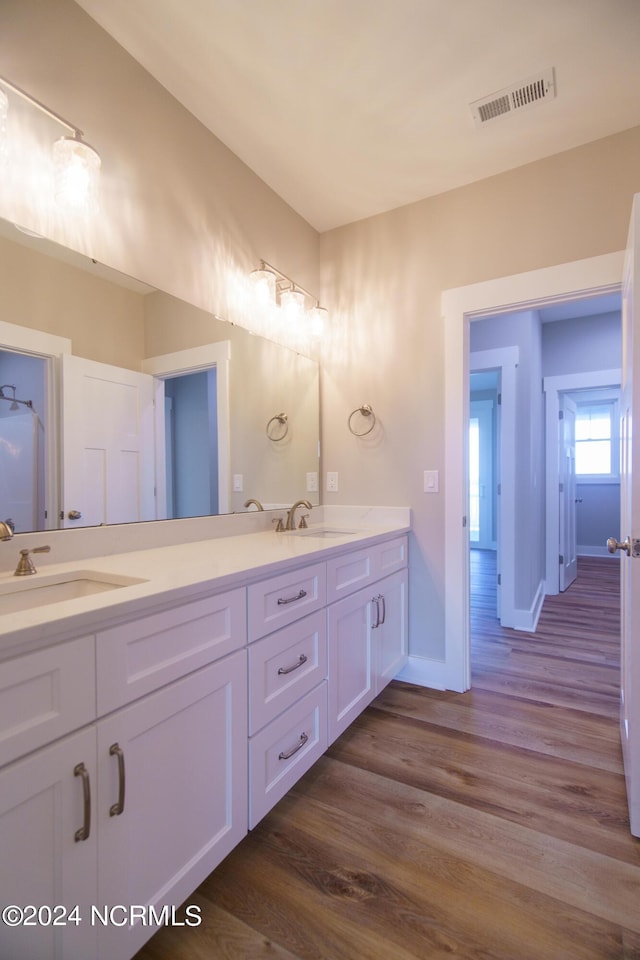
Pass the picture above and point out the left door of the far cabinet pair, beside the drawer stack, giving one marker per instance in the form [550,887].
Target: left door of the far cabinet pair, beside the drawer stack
[351,680]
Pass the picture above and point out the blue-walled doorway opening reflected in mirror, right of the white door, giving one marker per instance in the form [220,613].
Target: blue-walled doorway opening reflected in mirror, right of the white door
[191,443]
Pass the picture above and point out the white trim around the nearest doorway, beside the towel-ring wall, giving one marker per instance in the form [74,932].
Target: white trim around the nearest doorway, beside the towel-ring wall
[568,281]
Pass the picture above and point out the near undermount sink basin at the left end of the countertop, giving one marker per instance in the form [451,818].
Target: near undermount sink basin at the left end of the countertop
[24,594]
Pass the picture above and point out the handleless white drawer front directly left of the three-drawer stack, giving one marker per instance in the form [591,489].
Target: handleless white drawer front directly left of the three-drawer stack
[135,658]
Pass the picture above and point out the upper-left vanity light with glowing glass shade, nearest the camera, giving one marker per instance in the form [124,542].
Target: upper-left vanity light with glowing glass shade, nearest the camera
[76,163]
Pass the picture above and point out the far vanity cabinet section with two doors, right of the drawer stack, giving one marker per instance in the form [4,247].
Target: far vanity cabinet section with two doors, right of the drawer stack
[367,628]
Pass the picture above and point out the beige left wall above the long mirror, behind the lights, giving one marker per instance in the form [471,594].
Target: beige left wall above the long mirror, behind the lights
[178,209]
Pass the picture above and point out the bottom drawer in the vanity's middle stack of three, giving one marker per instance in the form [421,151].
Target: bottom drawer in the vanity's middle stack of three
[284,750]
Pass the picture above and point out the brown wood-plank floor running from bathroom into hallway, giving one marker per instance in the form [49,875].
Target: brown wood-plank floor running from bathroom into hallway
[491,824]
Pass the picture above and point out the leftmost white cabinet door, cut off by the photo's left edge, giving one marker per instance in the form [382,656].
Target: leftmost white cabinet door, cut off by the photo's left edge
[42,806]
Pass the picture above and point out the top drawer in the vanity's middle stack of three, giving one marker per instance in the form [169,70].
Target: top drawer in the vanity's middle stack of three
[280,600]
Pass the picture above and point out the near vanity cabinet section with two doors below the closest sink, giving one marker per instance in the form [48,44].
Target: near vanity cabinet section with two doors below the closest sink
[143,802]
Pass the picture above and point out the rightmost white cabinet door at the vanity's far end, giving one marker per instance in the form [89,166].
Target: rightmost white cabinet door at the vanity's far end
[390,636]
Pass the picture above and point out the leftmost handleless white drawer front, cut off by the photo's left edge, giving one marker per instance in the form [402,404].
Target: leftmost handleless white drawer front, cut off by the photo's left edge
[46,694]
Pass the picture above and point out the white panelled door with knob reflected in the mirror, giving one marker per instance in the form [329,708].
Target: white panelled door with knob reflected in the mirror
[108,444]
